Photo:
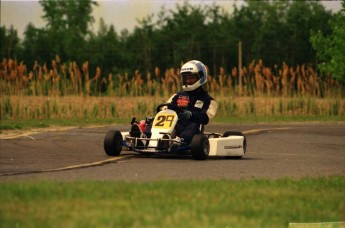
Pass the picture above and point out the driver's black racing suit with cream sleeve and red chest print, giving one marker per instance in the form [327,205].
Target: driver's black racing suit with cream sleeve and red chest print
[202,107]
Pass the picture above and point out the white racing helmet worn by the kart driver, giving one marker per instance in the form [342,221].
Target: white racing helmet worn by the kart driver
[193,67]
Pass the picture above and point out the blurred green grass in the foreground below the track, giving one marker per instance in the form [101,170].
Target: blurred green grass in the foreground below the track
[216,203]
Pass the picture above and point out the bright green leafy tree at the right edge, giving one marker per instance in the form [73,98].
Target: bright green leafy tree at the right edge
[330,49]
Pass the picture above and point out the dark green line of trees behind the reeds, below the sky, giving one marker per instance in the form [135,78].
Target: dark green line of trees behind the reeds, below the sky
[273,31]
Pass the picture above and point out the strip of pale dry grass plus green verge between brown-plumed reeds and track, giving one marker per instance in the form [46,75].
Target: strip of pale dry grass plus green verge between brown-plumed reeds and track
[38,111]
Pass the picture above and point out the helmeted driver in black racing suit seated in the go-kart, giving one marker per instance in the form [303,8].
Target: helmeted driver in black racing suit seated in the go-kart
[197,106]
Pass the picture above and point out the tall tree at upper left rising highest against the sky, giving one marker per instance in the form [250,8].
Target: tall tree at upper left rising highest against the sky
[67,26]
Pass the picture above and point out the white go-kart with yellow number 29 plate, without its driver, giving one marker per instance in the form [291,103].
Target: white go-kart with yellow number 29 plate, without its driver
[163,139]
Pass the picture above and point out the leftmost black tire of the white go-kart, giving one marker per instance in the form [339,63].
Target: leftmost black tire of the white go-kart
[113,143]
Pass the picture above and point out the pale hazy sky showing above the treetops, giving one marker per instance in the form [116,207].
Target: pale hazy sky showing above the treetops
[123,14]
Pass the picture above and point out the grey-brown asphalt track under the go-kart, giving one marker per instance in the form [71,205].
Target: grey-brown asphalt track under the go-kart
[274,151]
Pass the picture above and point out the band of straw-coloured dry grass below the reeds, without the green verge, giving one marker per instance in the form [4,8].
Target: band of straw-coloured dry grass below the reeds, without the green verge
[78,107]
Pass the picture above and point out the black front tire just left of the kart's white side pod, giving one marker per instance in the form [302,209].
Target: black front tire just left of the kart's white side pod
[200,147]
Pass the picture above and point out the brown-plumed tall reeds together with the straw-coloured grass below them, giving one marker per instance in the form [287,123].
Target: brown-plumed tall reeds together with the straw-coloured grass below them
[66,91]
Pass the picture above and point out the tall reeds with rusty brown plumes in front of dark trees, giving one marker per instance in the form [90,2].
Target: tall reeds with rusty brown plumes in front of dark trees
[66,79]
